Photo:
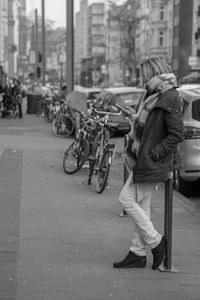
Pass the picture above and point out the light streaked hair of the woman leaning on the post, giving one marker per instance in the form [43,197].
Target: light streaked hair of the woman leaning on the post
[154,66]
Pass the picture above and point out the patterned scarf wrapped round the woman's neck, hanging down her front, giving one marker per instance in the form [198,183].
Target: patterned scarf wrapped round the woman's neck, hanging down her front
[155,86]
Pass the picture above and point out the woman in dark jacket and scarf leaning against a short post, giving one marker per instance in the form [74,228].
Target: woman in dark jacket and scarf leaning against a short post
[158,128]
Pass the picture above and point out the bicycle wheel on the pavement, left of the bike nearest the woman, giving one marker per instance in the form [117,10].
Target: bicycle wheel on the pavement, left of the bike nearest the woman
[75,156]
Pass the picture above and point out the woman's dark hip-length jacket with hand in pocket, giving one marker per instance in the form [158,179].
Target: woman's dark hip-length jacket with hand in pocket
[163,130]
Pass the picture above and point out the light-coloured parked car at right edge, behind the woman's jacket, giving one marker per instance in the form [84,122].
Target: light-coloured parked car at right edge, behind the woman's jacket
[189,175]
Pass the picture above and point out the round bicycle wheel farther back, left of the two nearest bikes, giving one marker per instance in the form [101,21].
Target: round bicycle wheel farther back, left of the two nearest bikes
[62,126]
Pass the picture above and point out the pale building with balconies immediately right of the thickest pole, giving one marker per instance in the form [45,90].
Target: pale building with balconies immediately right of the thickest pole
[89,43]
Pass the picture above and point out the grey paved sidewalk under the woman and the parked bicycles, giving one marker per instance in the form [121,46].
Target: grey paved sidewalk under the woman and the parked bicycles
[59,238]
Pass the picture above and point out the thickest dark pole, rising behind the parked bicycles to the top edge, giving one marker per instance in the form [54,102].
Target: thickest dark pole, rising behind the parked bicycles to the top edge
[70,45]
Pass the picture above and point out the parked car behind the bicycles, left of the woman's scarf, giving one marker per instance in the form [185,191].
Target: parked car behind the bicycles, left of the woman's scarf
[124,96]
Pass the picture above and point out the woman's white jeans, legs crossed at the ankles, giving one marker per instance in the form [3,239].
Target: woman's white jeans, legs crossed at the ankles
[135,200]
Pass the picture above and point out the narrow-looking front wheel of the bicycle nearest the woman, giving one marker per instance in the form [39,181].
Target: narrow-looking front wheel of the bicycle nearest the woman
[103,171]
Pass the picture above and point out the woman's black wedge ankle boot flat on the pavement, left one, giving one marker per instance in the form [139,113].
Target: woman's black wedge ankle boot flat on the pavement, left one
[131,261]
